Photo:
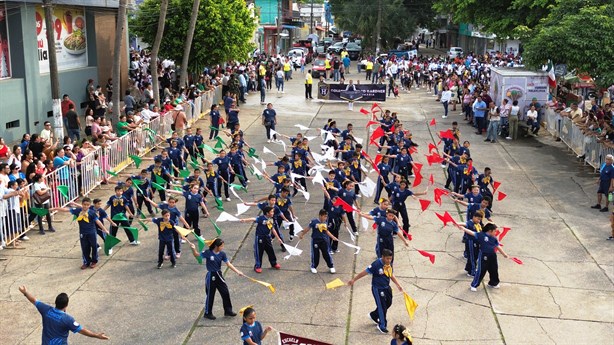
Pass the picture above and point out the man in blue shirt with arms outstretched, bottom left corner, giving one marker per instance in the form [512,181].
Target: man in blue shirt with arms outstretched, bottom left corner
[56,322]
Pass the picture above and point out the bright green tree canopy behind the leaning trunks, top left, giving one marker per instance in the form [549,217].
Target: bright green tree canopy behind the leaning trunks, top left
[224,29]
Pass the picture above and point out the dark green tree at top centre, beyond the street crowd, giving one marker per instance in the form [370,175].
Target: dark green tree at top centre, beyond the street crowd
[398,21]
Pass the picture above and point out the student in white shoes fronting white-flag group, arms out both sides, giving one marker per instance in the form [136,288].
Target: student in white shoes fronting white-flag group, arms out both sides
[320,241]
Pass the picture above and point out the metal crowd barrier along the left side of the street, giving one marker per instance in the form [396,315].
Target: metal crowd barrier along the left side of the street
[82,178]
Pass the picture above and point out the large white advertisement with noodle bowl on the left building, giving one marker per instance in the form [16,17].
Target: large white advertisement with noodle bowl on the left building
[70,40]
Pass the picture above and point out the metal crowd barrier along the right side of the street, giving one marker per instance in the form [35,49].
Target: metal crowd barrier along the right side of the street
[581,144]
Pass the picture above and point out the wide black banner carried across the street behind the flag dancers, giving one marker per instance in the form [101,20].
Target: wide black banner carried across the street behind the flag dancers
[355,92]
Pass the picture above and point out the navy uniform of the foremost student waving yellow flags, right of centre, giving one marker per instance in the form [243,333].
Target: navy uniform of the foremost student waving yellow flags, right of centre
[382,293]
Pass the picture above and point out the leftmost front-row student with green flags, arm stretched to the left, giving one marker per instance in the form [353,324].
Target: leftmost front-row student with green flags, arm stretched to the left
[88,221]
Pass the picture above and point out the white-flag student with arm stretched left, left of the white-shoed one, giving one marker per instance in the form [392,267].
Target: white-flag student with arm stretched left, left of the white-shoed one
[262,242]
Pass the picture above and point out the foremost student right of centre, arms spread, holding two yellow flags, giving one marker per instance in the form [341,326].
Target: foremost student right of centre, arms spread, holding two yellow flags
[381,275]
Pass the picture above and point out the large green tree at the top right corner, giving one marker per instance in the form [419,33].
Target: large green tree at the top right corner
[579,33]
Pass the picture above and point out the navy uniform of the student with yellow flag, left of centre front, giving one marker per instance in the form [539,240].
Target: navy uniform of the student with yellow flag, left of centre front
[214,280]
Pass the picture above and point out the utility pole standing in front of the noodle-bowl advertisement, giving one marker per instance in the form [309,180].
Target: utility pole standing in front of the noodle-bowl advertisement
[58,124]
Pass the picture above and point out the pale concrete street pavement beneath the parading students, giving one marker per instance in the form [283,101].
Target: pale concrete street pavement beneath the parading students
[563,294]
